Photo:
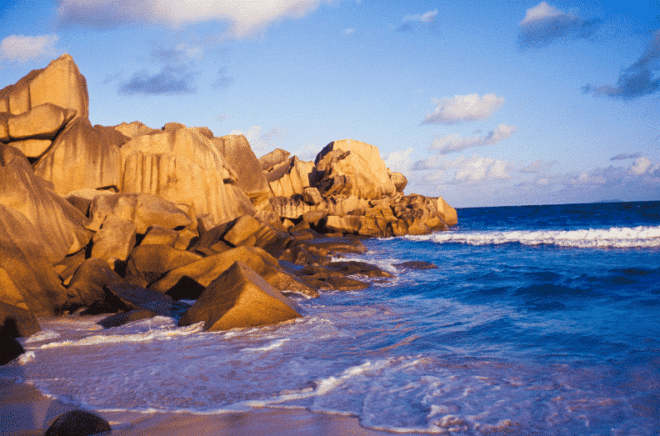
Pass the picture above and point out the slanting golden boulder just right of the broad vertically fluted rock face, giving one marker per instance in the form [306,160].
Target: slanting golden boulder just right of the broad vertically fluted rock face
[238,153]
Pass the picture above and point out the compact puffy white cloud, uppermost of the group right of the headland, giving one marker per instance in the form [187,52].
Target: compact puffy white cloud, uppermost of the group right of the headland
[469,107]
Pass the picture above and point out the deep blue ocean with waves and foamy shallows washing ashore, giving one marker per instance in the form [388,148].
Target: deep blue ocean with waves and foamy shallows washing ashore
[538,320]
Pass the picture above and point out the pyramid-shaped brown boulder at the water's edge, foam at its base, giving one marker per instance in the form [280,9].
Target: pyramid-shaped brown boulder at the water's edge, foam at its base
[239,298]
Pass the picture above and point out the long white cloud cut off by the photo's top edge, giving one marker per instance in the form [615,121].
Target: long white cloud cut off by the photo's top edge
[245,17]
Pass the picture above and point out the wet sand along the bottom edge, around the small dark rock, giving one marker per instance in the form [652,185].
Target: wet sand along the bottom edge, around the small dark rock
[26,411]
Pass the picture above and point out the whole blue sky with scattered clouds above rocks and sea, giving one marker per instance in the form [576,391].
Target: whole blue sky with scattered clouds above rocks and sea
[483,102]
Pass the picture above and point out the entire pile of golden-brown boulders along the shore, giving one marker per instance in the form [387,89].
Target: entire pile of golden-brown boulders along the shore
[140,221]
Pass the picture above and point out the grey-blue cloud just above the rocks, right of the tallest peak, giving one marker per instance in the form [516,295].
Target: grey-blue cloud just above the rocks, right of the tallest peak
[170,80]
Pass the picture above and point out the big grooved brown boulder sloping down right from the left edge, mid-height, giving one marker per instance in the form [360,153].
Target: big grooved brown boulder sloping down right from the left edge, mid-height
[57,224]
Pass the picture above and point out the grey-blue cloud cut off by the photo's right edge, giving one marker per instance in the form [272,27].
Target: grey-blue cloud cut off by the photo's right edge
[639,79]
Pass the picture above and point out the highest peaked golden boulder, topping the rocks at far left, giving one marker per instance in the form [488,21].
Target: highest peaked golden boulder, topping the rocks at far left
[59,83]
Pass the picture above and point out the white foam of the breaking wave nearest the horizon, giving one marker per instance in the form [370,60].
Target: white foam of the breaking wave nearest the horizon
[614,237]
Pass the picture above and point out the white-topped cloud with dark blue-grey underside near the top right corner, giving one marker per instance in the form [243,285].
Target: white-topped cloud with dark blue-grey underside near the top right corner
[544,24]
